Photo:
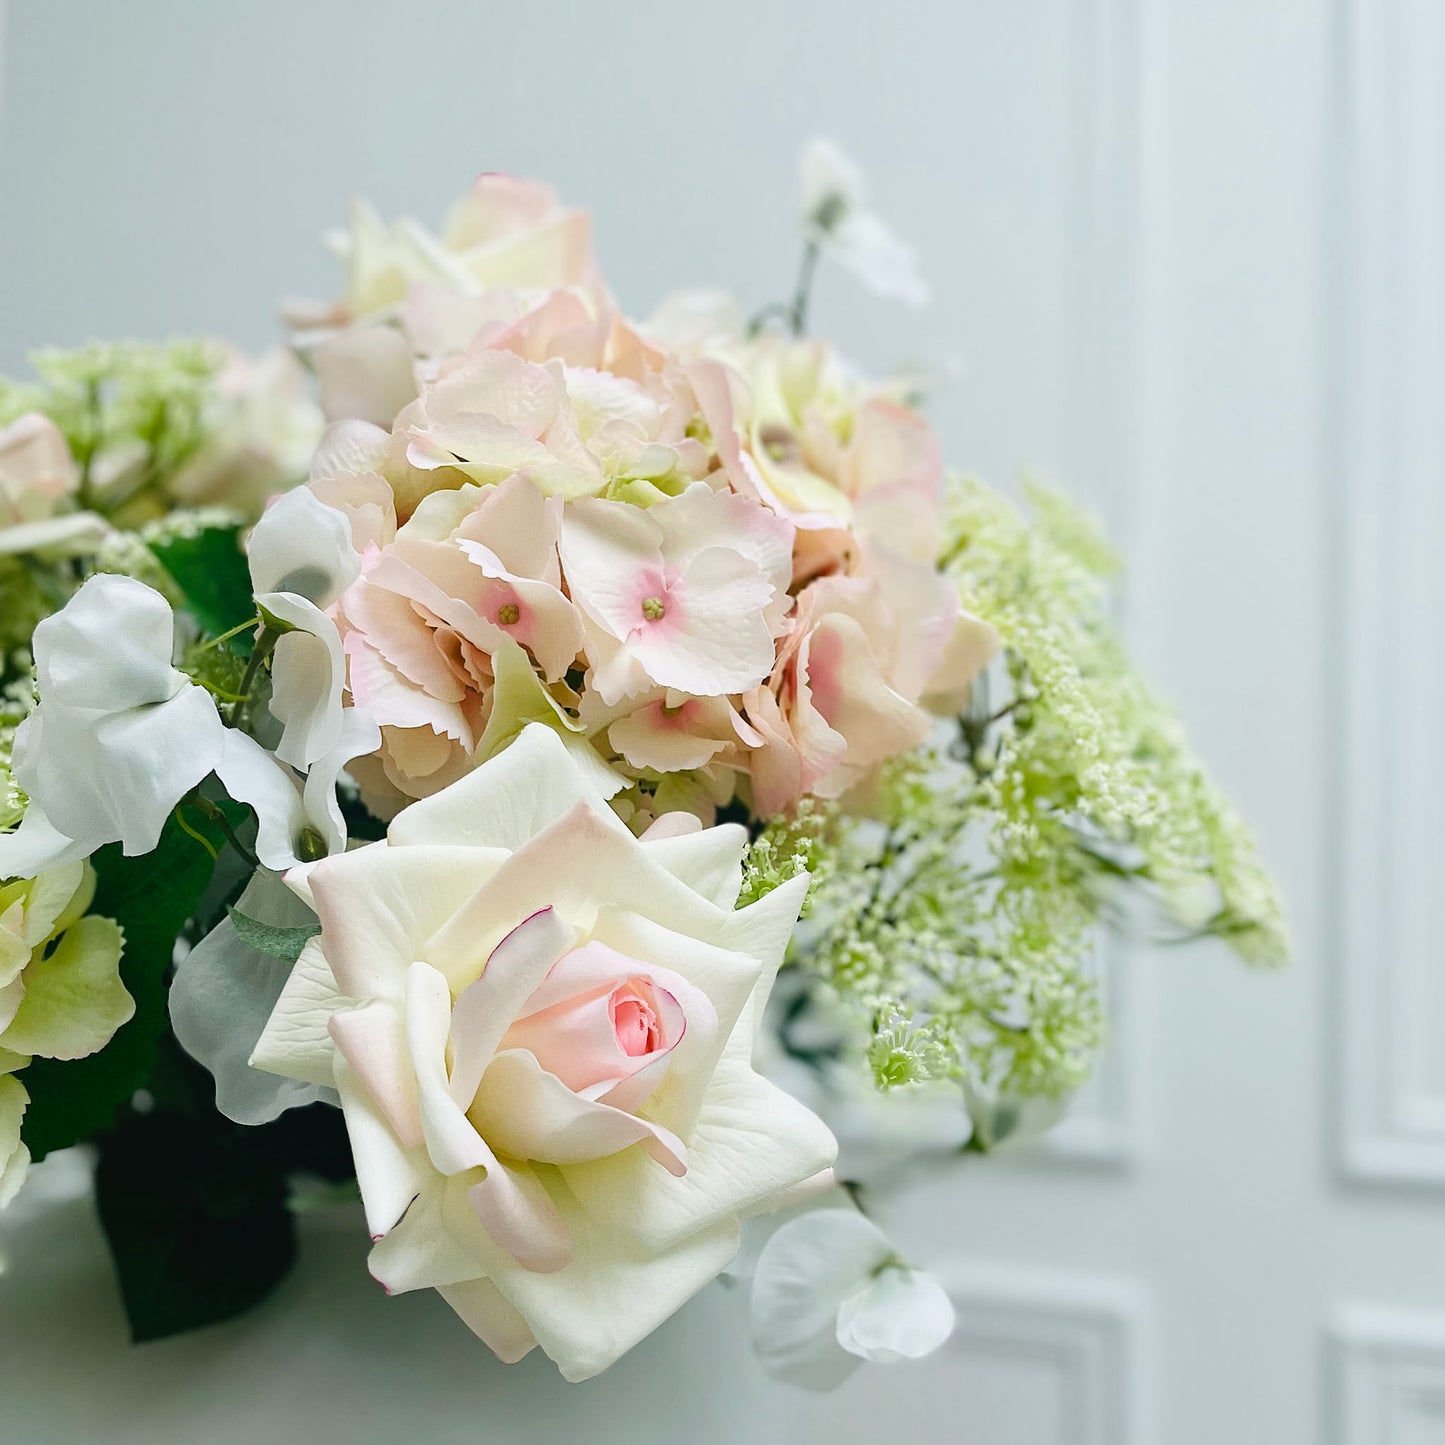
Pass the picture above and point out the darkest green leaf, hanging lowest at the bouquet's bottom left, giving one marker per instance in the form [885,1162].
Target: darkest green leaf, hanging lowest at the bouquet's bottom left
[196,1216]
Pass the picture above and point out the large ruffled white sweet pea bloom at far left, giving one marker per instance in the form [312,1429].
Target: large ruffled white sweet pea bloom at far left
[121,736]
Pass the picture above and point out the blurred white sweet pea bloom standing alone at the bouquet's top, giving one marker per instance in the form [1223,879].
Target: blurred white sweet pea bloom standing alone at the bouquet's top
[839,222]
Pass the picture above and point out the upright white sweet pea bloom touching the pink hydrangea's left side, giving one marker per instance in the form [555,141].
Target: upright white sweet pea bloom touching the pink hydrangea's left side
[303,560]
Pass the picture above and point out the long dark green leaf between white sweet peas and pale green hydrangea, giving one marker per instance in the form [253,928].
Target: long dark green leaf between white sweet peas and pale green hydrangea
[151,898]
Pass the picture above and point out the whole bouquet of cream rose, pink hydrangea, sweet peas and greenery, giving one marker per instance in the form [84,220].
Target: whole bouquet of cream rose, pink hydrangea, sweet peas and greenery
[543,787]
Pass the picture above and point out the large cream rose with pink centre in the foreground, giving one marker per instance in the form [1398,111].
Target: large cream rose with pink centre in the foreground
[543,1031]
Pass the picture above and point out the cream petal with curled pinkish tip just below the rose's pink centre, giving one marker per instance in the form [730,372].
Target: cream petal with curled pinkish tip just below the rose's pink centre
[528,1113]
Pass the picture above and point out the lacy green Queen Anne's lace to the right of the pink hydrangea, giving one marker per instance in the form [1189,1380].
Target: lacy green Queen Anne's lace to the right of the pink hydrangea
[957,924]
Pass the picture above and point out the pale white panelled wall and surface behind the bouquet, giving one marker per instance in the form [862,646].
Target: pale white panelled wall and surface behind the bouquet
[1187,261]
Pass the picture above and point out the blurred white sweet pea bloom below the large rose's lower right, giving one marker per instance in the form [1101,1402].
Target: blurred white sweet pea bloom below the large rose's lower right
[830,1293]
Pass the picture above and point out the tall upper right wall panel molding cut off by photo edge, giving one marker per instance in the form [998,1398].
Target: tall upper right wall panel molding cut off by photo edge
[1389,378]
